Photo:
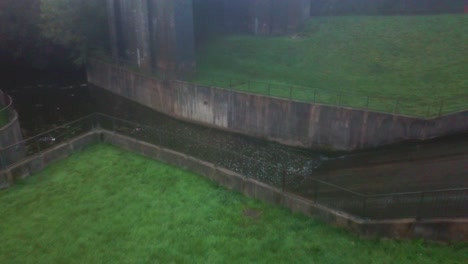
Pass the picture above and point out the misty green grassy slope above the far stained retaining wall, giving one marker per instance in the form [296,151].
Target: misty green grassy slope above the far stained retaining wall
[419,61]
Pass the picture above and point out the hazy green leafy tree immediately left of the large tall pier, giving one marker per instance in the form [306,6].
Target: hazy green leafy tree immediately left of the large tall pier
[80,26]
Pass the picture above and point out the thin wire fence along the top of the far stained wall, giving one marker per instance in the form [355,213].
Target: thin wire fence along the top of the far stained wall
[413,105]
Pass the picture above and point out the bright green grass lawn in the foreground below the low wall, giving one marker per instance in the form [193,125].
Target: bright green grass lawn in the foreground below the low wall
[106,205]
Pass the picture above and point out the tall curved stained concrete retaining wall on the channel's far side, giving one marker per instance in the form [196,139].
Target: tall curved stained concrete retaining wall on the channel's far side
[288,122]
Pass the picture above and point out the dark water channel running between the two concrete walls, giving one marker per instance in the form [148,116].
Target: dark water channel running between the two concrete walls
[411,166]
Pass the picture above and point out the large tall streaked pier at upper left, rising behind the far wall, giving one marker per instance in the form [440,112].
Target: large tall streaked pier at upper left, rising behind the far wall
[154,35]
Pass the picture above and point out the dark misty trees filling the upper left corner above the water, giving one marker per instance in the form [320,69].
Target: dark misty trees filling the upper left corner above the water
[43,33]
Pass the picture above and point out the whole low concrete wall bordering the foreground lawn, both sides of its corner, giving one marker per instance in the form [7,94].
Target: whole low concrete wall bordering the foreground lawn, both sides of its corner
[452,230]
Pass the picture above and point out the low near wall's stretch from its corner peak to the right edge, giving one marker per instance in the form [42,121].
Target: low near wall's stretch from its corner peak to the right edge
[451,230]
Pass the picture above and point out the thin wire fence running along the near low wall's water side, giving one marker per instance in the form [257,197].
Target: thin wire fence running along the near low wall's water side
[448,203]
